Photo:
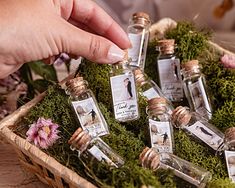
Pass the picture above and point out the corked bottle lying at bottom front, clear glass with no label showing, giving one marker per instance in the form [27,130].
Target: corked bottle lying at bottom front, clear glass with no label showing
[189,172]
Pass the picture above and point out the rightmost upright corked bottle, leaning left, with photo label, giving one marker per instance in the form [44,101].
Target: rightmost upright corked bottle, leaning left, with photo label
[195,89]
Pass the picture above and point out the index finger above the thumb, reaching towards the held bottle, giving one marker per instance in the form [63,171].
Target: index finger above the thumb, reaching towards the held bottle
[90,14]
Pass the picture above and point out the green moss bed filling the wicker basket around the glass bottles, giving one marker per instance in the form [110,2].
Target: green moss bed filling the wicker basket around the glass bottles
[129,139]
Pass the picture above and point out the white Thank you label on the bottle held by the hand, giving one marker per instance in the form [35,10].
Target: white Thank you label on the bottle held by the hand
[124,96]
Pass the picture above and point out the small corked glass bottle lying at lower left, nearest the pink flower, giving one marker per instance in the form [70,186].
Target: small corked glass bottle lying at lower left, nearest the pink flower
[94,148]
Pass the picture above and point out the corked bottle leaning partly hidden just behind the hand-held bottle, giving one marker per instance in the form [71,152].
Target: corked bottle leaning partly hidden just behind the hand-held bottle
[149,89]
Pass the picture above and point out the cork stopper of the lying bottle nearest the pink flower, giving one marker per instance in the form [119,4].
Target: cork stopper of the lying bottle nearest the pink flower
[79,140]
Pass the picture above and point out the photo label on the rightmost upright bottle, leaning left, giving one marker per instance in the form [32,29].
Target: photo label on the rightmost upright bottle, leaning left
[200,98]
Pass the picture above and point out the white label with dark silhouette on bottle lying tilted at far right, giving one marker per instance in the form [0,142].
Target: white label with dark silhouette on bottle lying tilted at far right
[205,134]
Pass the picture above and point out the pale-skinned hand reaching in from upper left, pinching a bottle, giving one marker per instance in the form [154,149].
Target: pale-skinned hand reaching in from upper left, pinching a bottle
[39,29]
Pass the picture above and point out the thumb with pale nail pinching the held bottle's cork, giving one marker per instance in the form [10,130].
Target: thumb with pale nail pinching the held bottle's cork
[93,47]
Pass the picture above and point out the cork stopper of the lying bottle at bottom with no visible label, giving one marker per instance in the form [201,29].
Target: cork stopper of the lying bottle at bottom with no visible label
[149,158]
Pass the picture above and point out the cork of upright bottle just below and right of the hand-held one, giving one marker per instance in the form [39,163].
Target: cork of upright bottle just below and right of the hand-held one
[157,106]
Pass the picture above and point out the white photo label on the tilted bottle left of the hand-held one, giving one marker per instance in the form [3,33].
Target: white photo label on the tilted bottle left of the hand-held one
[89,117]
